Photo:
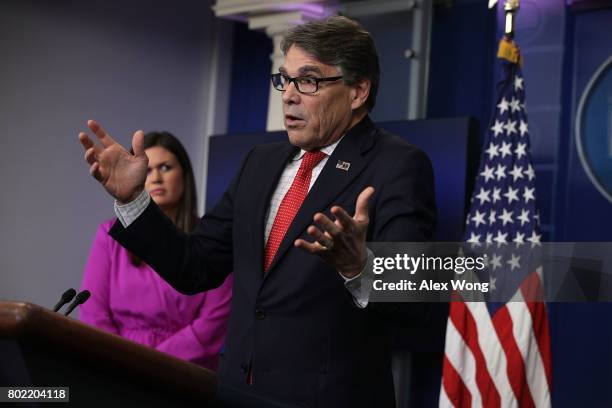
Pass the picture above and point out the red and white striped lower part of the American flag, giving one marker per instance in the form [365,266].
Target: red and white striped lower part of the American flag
[499,361]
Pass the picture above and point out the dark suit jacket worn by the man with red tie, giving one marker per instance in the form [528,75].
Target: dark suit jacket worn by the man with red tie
[297,325]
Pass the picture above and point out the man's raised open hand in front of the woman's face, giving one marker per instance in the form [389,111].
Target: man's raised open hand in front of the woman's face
[121,173]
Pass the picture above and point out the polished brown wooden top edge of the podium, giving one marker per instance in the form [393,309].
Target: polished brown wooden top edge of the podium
[25,321]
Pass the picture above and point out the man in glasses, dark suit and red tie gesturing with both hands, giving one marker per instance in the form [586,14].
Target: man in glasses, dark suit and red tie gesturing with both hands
[293,226]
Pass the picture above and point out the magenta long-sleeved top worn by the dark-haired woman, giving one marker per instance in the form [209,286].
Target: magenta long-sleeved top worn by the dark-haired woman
[135,303]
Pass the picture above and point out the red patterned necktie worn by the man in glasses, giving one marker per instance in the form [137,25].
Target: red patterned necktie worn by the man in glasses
[291,204]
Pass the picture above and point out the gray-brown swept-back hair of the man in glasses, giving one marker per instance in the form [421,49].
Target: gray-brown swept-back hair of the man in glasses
[341,42]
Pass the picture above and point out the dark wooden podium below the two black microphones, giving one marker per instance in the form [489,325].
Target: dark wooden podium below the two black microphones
[40,348]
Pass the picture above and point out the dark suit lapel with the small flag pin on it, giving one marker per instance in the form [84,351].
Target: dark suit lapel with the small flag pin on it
[331,182]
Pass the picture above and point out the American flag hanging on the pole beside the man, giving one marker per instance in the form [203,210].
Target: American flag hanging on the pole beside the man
[497,354]
